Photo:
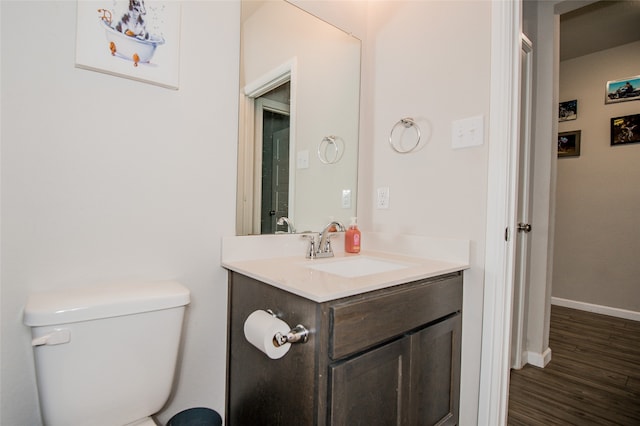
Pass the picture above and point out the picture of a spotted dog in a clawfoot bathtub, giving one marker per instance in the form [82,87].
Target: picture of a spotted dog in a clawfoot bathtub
[137,39]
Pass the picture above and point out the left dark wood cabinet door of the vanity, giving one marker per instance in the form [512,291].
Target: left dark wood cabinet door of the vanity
[372,389]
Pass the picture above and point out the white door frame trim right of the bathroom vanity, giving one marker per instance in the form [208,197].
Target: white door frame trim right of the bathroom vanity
[506,28]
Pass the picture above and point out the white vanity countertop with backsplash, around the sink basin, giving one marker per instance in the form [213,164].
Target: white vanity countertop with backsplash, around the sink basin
[279,260]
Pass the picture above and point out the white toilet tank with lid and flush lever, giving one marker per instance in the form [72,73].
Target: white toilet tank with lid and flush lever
[106,355]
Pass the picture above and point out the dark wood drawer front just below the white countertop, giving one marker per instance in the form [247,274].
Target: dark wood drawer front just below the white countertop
[357,325]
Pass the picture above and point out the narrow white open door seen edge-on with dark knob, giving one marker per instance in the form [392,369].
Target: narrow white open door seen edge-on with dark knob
[521,281]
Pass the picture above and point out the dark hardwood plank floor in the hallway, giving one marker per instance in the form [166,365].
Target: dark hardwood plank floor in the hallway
[593,377]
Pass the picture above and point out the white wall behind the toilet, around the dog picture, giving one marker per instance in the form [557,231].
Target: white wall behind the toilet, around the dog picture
[106,178]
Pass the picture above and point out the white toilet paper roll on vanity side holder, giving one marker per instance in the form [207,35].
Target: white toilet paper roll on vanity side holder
[260,328]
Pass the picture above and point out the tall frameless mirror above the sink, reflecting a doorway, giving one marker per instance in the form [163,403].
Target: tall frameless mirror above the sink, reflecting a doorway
[299,88]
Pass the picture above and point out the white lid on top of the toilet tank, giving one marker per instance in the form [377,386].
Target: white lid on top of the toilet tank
[103,301]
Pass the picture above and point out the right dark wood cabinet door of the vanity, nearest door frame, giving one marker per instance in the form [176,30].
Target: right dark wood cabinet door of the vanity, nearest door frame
[435,373]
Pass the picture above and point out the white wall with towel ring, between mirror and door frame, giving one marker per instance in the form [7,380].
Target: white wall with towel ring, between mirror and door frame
[430,60]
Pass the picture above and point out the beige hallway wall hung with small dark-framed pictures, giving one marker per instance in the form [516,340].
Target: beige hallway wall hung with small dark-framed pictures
[597,236]
